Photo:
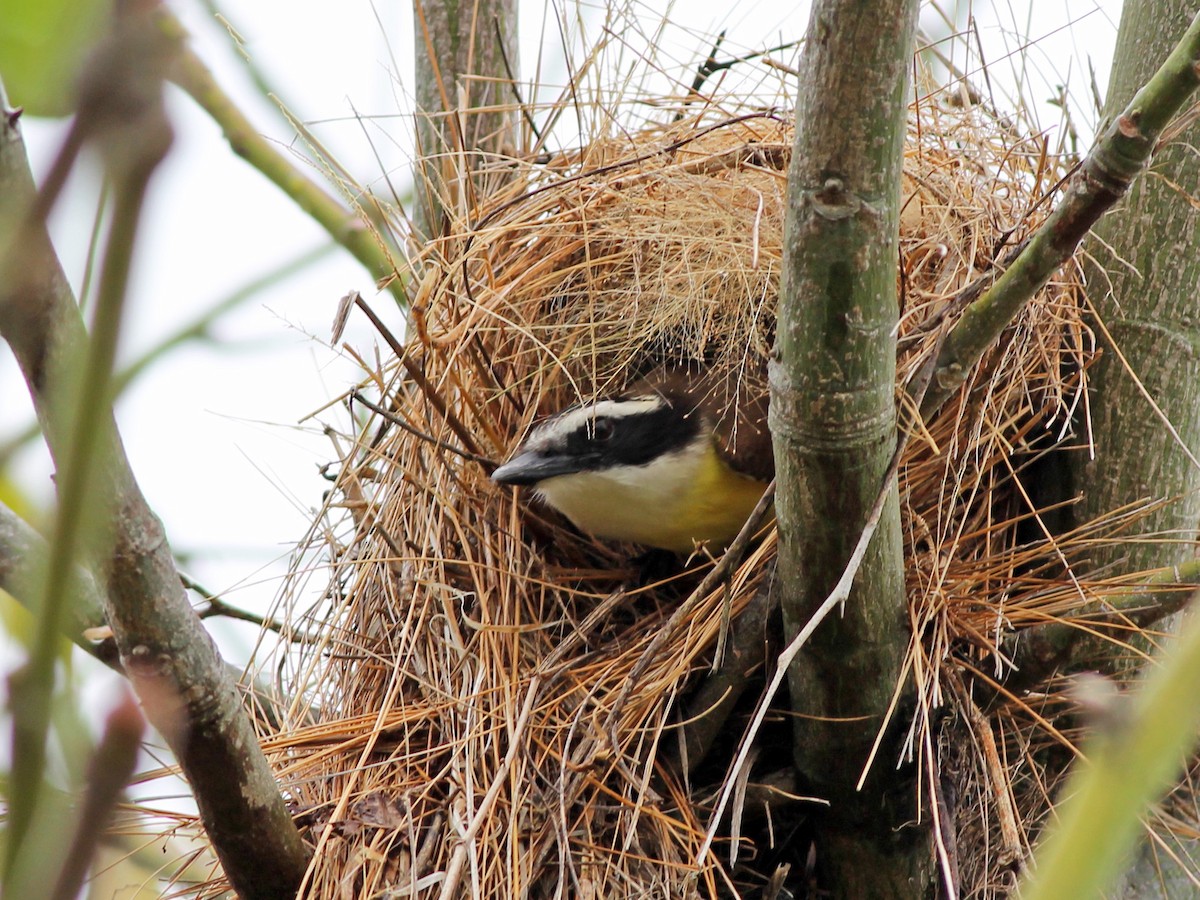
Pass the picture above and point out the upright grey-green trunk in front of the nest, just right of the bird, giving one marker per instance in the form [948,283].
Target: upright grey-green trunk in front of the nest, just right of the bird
[833,418]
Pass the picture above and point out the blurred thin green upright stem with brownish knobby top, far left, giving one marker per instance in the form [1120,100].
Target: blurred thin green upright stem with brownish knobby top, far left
[113,99]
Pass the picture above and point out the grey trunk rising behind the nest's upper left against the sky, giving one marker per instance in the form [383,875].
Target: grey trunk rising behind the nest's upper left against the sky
[466,64]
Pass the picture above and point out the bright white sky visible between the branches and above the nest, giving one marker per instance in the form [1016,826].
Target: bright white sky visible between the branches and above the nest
[212,433]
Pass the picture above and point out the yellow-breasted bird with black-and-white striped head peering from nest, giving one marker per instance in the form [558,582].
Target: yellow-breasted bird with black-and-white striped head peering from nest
[674,463]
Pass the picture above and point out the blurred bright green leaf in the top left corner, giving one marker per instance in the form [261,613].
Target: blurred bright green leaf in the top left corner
[43,46]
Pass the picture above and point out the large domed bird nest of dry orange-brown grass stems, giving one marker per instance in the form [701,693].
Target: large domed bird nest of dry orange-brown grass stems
[477,711]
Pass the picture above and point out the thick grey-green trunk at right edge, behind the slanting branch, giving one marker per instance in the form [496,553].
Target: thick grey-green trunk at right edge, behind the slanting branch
[1145,293]
